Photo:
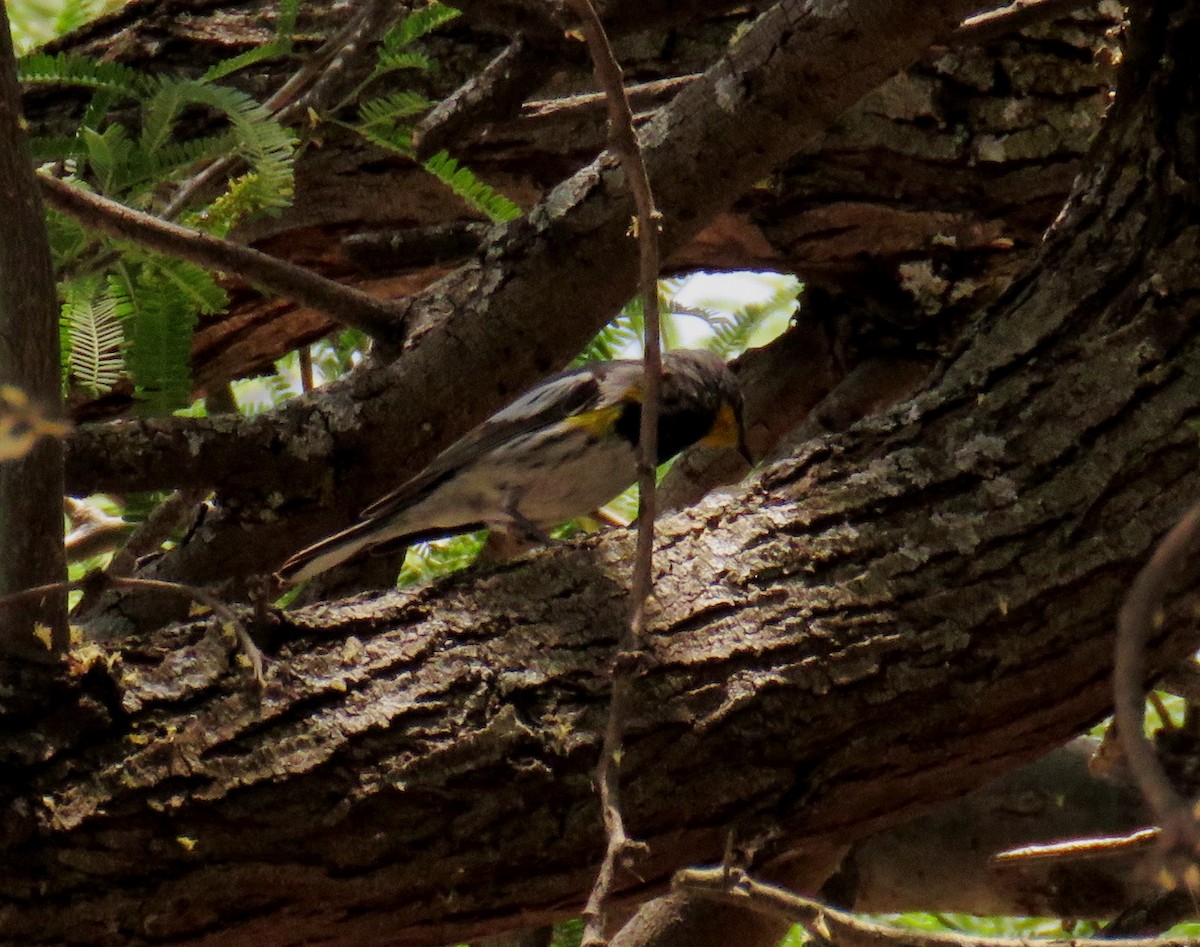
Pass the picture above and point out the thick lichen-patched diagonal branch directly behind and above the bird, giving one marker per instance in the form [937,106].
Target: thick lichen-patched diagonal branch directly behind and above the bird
[514,311]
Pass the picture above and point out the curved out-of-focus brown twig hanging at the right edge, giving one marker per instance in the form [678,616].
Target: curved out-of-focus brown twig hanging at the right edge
[1143,610]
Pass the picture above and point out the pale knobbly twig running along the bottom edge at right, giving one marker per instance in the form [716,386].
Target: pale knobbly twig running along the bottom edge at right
[734,886]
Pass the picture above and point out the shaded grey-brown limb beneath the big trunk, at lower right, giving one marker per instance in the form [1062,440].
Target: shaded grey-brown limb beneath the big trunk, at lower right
[943,861]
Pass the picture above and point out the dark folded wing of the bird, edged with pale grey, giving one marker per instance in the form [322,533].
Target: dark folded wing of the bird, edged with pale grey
[571,393]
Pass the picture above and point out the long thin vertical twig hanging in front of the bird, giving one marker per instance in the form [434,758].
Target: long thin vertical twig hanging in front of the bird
[625,143]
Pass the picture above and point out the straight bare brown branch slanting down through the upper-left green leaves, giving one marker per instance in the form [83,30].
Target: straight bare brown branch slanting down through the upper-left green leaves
[344,304]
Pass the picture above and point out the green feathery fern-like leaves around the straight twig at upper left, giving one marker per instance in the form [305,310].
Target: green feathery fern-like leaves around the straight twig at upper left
[136,317]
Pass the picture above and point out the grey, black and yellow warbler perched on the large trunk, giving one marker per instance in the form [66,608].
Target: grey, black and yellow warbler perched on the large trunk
[561,451]
